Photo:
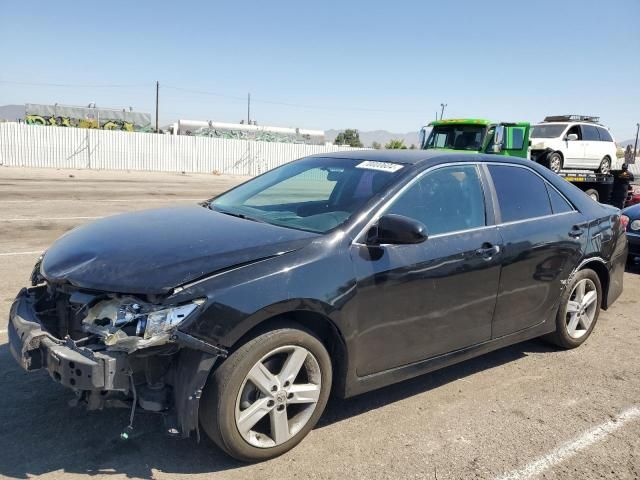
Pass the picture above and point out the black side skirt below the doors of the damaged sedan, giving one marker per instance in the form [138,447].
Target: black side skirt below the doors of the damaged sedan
[382,379]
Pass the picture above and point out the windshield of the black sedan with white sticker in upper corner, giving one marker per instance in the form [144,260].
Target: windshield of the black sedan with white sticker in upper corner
[315,194]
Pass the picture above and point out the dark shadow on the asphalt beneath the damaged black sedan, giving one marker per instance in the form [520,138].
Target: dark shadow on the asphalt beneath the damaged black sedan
[44,435]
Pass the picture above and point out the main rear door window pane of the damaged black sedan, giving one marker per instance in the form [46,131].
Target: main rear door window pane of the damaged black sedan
[521,193]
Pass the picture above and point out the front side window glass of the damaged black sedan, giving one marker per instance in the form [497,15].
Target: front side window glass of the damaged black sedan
[448,199]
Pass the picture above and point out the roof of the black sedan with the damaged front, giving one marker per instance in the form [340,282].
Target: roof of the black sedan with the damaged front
[420,157]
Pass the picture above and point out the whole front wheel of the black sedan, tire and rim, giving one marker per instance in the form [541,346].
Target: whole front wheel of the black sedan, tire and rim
[231,401]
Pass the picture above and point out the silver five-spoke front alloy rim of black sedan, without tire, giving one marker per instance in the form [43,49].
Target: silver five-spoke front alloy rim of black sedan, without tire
[272,407]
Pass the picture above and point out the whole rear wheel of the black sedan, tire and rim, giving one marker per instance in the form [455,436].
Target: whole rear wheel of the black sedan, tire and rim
[564,336]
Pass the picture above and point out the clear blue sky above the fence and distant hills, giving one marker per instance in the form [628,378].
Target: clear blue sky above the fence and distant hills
[368,65]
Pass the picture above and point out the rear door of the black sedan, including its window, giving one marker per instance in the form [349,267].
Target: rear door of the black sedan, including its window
[543,237]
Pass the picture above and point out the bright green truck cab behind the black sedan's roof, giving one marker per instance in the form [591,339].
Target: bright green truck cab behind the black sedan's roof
[476,135]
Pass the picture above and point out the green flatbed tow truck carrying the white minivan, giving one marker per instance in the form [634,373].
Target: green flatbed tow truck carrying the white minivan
[476,135]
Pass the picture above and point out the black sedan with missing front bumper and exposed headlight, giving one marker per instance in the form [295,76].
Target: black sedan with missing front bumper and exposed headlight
[340,272]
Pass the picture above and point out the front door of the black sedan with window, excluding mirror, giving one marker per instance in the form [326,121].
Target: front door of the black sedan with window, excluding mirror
[420,301]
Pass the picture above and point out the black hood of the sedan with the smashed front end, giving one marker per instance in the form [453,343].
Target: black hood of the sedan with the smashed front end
[153,251]
